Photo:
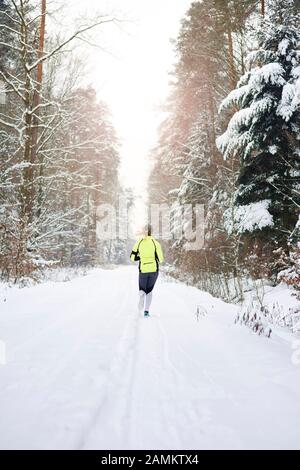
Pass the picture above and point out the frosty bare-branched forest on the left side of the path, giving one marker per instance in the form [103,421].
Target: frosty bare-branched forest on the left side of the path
[58,147]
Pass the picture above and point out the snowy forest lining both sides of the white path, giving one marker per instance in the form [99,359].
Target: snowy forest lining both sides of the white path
[229,139]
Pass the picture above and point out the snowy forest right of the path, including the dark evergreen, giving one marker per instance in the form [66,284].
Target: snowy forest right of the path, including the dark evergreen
[230,140]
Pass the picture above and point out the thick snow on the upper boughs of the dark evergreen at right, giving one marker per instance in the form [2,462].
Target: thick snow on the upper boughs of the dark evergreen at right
[251,87]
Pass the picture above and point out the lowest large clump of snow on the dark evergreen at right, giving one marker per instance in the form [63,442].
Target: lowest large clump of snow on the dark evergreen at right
[250,217]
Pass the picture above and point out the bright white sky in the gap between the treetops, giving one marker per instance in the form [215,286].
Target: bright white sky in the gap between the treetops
[133,76]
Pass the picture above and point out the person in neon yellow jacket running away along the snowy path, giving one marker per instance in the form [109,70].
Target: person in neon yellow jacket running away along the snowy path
[149,254]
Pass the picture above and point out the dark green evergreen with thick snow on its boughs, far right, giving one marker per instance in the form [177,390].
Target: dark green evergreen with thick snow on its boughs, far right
[265,133]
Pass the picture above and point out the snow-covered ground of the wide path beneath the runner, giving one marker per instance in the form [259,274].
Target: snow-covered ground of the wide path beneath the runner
[84,371]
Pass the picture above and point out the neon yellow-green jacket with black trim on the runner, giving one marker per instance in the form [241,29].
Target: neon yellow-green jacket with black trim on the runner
[149,253]
